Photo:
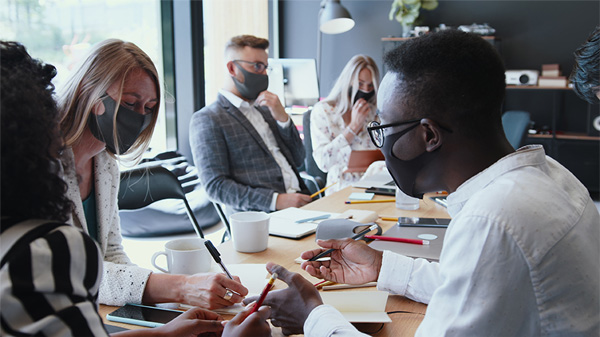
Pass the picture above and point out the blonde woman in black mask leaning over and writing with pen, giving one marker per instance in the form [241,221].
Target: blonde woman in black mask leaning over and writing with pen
[109,109]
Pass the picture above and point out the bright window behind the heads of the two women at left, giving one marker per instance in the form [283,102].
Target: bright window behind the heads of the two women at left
[60,32]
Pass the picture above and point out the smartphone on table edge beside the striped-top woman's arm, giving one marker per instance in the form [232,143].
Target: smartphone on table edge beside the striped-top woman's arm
[143,315]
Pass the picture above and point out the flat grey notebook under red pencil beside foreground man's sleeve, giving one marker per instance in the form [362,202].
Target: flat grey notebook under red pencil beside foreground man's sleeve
[430,252]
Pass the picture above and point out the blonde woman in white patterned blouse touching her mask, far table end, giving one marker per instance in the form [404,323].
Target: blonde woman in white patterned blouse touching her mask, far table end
[338,123]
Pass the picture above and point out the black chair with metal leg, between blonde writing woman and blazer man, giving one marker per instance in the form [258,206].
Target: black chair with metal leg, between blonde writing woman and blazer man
[142,186]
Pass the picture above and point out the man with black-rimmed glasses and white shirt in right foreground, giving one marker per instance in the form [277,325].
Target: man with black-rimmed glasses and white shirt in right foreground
[521,251]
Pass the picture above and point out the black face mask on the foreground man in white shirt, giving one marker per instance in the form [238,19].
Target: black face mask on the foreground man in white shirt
[404,172]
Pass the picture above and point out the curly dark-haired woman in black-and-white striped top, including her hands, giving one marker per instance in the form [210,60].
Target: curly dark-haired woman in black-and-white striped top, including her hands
[51,271]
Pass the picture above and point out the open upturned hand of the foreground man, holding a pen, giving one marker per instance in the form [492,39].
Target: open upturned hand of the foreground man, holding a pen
[352,262]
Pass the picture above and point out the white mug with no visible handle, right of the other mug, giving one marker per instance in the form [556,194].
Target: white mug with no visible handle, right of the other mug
[250,231]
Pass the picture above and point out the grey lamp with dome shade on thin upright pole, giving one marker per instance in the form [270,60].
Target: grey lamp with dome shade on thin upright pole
[333,19]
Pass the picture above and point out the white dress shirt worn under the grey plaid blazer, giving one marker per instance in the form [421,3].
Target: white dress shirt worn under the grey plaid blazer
[290,179]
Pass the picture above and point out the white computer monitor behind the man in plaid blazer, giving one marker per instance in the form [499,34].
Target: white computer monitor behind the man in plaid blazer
[294,81]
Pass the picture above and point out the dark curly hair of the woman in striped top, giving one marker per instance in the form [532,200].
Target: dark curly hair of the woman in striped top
[31,184]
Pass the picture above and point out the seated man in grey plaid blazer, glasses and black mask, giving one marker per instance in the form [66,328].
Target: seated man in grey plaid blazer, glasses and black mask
[246,147]
